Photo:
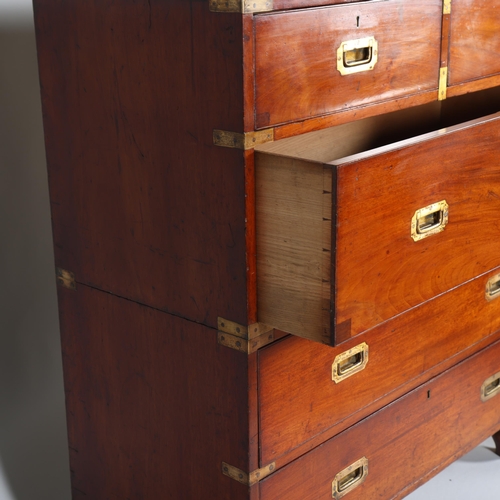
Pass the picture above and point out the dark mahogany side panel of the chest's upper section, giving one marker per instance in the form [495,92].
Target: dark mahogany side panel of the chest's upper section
[143,204]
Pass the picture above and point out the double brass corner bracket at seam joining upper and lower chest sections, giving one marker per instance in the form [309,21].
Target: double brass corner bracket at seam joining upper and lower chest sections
[246,339]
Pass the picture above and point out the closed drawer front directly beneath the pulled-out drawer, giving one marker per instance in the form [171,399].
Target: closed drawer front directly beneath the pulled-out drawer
[299,401]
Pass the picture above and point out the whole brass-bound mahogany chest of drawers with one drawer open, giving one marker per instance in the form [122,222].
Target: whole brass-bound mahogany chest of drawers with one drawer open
[275,230]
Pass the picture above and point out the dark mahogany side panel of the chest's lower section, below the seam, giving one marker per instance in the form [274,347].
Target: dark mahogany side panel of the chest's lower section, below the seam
[154,404]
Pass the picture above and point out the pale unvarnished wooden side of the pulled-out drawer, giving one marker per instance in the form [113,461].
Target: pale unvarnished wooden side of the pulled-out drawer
[294,247]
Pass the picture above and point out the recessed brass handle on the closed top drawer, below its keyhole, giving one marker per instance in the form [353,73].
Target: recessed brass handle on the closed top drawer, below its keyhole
[358,55]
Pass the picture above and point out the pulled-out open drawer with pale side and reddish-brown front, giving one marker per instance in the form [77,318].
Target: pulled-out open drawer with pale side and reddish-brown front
[364,262]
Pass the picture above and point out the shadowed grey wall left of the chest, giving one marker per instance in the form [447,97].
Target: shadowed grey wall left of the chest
[33,447]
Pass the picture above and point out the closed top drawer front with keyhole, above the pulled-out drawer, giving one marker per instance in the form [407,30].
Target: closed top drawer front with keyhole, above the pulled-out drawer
[296,53]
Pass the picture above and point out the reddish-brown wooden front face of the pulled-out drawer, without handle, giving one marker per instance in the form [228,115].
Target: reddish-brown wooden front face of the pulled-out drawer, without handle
[380,270]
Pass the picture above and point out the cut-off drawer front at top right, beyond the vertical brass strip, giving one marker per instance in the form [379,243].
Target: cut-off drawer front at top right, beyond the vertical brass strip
[474,40]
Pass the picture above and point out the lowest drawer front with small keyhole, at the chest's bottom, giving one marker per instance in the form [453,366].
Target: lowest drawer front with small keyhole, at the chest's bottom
[412,438]
